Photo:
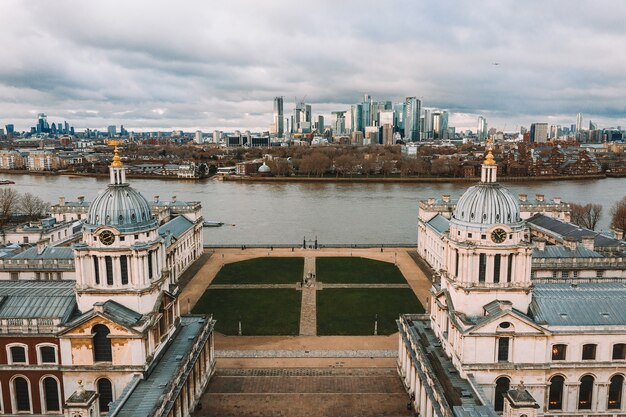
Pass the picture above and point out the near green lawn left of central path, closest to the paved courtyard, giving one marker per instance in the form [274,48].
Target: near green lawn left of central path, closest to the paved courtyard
[261,311]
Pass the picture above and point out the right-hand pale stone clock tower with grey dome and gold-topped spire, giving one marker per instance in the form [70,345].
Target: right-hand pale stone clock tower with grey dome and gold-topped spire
[488,252]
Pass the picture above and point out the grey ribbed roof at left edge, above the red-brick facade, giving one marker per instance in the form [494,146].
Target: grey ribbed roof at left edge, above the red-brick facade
[37,299]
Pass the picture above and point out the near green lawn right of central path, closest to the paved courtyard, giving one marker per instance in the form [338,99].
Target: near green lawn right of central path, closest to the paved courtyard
[352,311]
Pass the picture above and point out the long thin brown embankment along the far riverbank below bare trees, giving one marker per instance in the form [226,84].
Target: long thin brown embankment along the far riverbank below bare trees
[409,179]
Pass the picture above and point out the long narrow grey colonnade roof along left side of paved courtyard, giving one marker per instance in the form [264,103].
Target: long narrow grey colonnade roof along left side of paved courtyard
[150,392]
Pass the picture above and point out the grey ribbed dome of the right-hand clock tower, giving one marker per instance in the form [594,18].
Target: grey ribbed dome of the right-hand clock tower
[487,204]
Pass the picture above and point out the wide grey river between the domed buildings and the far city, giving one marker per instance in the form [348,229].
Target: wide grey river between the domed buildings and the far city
[345,213]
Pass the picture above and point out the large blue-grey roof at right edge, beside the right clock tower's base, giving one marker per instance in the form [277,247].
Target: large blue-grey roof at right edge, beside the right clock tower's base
[587,304]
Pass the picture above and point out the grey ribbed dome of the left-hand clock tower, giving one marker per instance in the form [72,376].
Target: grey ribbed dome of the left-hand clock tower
[122,207]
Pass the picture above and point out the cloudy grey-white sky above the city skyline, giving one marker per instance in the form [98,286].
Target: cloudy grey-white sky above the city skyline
[164,65]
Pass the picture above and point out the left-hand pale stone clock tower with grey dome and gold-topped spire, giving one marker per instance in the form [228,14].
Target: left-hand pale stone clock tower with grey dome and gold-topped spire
[121,255]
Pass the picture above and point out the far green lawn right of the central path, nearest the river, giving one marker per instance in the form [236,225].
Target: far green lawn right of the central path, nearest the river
[356,270]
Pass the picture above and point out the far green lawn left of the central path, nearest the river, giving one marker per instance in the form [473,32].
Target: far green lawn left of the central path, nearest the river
[267,270]
